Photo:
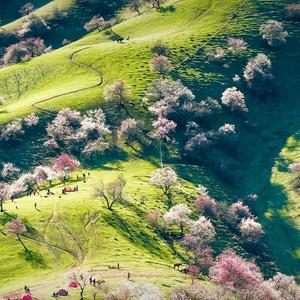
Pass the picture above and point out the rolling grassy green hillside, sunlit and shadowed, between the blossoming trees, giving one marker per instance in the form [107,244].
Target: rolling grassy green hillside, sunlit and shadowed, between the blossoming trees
[76,230]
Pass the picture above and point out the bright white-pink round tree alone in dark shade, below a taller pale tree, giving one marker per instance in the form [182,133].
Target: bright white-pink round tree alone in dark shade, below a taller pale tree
[234,99]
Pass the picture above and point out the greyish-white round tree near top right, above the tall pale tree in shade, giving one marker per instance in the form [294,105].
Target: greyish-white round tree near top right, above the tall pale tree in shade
[272,31]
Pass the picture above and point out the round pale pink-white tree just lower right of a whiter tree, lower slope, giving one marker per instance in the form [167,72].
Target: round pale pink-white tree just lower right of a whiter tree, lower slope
[203,231]
